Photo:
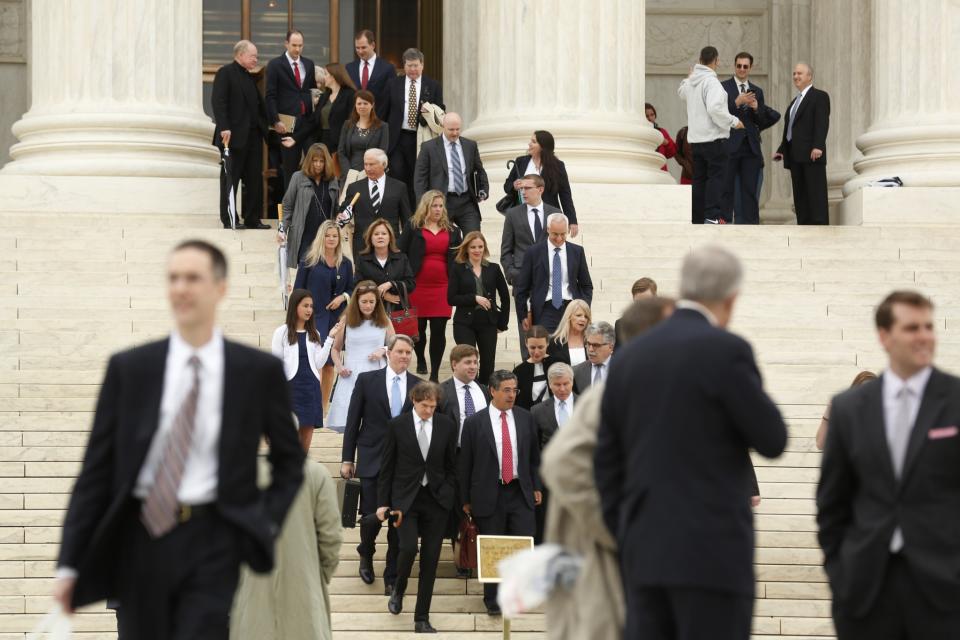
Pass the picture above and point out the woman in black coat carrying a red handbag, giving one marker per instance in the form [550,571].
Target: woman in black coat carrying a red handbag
[381,261]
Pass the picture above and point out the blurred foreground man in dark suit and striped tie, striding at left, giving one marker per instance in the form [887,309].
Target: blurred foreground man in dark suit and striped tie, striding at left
[166,505]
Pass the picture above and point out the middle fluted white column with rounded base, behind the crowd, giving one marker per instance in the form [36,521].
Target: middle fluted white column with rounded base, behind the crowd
[574,68]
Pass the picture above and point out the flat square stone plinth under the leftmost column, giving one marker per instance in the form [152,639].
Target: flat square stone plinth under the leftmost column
[109,194]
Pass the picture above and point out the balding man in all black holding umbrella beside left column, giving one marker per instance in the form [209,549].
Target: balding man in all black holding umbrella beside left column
[241,118]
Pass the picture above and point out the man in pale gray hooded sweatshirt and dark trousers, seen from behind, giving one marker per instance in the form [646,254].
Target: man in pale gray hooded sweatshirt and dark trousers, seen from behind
[709,123]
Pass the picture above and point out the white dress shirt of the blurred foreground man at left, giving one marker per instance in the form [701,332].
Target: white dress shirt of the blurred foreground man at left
[199,482]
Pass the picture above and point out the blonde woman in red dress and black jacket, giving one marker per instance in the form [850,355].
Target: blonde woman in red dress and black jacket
[430,240]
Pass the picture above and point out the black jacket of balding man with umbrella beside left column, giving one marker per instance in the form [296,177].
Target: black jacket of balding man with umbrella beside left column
[237,105]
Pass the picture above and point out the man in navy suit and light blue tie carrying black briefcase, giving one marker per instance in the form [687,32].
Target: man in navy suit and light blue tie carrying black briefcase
[377,397]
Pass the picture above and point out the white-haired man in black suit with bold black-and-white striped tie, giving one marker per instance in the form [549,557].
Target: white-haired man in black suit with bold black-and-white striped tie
[380,197]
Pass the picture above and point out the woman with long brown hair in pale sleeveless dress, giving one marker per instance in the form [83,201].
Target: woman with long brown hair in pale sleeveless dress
[368,328]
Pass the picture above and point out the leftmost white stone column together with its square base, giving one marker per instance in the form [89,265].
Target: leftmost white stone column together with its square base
[116,104]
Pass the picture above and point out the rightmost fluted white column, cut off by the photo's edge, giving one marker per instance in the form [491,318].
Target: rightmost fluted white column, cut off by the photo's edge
[915,125]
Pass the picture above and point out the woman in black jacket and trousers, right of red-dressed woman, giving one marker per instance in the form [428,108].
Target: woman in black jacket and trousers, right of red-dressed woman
[473,287]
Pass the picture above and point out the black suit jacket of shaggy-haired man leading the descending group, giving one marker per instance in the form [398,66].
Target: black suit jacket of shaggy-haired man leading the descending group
[403,466]
